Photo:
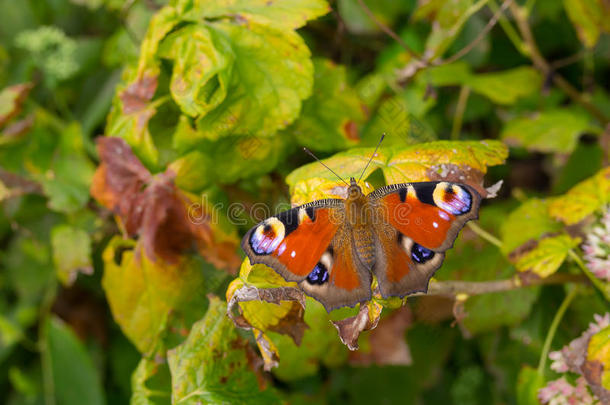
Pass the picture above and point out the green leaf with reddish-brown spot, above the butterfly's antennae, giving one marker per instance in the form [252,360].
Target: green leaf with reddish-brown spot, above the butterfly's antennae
[332,116]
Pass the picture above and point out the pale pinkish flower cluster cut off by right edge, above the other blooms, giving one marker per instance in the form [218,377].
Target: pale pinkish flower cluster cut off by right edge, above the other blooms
[597,248]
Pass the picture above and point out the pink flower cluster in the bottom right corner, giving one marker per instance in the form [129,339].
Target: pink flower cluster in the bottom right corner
[571,358]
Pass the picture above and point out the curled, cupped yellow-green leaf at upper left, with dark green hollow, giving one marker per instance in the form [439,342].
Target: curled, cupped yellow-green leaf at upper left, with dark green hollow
[203,61]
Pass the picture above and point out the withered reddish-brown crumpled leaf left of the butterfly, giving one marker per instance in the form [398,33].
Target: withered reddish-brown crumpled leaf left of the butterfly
[153,208]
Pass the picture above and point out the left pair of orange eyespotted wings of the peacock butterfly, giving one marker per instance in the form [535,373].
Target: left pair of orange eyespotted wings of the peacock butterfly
[312,245]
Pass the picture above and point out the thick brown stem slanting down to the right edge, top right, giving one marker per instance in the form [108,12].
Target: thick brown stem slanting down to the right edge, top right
[545,68]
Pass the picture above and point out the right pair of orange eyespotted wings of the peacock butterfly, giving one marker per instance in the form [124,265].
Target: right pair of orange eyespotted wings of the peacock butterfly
[415,224]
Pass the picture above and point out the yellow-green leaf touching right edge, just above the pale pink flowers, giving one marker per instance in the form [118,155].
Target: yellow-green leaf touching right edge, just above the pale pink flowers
[583,199]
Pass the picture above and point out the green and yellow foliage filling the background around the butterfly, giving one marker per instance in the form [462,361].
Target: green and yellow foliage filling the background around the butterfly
[222,95]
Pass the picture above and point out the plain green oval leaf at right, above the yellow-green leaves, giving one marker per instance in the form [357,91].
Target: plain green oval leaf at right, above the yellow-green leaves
[548,131]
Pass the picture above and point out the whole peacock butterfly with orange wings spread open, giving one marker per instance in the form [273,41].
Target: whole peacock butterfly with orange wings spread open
[332,247]
